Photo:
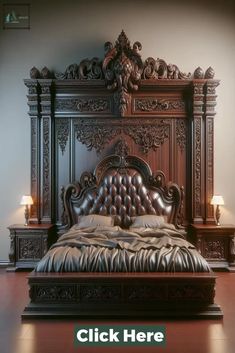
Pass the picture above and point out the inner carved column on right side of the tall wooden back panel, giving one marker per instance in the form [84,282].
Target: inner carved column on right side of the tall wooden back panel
[197,153]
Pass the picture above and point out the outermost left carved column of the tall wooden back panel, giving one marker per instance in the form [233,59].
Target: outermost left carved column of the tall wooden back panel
[34,113]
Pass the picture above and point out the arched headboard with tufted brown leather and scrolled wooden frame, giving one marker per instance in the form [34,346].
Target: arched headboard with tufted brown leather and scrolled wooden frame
[123,187]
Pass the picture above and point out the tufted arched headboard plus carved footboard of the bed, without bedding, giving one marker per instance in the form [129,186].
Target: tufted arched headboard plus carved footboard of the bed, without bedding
[122,294]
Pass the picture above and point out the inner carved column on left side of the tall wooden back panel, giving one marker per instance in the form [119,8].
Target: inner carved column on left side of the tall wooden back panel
[47,146]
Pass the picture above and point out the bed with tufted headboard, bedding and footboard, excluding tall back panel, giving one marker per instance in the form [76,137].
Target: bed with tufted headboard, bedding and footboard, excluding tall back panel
[122,251]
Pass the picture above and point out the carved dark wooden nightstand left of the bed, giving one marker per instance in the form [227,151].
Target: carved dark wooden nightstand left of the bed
[29,244]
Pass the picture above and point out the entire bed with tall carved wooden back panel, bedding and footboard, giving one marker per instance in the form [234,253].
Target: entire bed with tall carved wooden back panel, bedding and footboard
[164,121]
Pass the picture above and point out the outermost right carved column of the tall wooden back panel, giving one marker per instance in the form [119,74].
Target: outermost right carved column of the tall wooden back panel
[210,103]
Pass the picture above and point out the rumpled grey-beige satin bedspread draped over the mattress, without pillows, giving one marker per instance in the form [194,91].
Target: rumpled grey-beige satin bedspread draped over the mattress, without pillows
[113,249]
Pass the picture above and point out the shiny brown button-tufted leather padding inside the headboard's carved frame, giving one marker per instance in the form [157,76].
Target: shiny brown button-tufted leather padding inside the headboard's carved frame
[123,195]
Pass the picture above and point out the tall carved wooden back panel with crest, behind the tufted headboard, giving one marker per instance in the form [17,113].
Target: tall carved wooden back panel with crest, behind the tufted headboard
[164,116]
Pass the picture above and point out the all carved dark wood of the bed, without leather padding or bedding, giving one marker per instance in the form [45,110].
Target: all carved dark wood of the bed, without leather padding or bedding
[161,115]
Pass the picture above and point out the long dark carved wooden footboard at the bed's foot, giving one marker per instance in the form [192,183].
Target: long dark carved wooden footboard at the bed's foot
[122,295]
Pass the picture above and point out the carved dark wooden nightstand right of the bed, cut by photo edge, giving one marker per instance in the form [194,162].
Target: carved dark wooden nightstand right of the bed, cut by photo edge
[215,243]
